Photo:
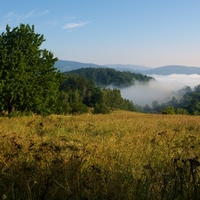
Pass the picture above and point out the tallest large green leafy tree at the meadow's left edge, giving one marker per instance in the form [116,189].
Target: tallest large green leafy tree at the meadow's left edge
[28,79]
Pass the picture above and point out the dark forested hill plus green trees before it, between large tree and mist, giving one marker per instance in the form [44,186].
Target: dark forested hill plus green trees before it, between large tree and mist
[87,89]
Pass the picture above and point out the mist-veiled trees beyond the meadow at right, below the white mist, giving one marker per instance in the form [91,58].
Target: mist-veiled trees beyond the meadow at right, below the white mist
[186,101]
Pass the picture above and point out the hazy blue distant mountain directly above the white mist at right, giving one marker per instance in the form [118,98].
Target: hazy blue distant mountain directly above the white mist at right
[172,69]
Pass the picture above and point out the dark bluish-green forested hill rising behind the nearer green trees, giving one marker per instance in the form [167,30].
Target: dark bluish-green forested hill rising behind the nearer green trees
[108,76]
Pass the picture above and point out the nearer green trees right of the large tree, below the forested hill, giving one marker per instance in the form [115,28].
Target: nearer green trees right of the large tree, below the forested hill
[79,95]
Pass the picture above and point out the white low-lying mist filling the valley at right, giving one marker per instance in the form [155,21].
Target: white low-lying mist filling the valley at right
[160,90]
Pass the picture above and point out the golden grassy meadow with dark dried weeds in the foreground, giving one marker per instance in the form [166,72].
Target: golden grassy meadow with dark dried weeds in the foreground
[123,155]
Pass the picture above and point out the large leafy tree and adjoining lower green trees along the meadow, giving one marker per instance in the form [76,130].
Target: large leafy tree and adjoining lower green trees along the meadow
[29,82]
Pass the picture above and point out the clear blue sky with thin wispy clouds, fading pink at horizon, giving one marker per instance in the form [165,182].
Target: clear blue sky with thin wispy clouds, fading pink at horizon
[143,32]
